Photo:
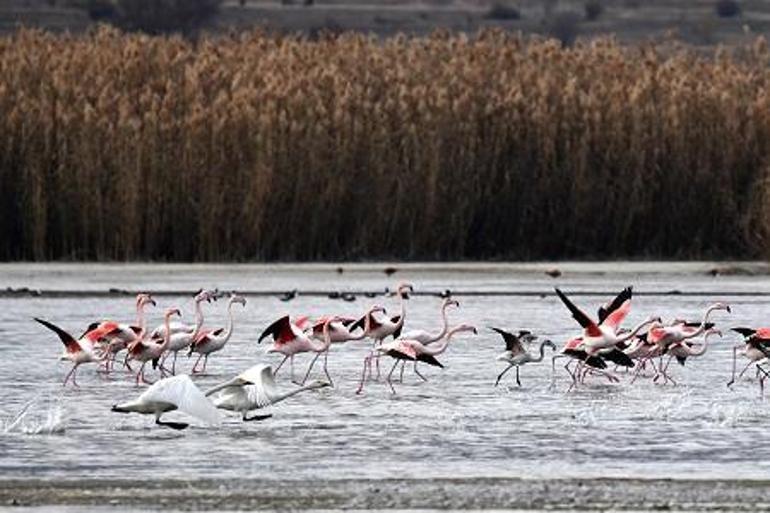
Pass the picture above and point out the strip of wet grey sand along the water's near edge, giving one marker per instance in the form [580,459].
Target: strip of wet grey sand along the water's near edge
[488,493]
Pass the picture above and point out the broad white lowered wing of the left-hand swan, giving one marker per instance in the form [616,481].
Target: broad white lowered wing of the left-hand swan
[182,393]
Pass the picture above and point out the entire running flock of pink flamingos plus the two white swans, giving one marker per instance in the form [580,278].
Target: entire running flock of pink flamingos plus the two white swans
[646,350]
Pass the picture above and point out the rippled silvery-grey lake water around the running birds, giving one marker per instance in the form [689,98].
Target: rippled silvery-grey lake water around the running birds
[456,425]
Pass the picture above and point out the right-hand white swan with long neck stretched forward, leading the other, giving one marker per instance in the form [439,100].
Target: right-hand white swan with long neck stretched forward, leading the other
[254,389]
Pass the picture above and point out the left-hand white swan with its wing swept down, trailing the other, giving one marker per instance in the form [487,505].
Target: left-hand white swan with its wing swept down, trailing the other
[169,394]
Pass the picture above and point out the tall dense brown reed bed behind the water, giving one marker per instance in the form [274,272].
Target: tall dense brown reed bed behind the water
[262,147]
